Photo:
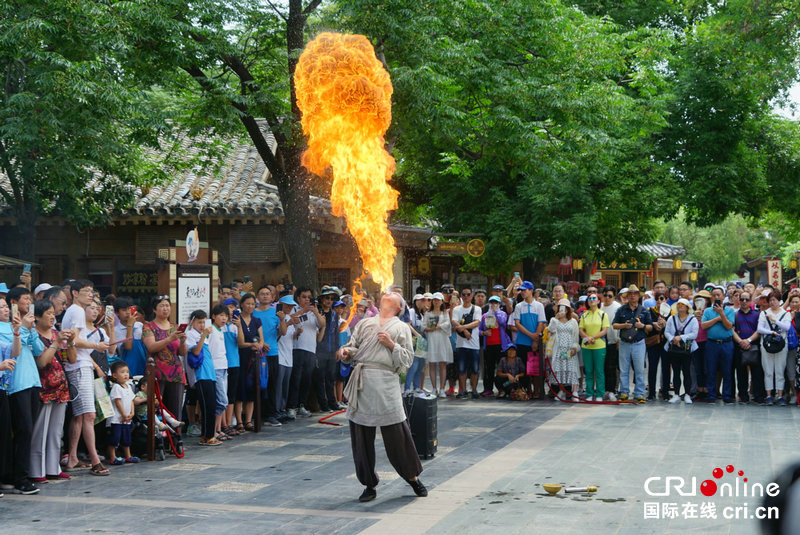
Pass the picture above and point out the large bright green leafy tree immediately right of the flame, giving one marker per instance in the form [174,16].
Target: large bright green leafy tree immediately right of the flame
[531,123]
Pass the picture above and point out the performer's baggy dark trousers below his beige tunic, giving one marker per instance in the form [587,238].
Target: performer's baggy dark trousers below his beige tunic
[399,446]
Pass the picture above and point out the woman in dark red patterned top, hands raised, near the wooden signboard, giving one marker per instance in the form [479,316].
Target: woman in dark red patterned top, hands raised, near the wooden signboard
[166,345]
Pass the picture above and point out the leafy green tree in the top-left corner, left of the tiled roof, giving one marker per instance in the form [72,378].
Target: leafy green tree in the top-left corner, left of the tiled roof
[73,128]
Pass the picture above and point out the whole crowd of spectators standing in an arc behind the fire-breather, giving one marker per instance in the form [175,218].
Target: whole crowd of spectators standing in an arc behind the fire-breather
[72,362]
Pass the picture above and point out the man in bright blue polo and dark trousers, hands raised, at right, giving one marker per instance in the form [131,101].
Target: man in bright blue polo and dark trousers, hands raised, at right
[718,322]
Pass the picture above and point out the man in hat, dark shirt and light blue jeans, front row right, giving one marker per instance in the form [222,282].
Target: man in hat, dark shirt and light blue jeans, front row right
[634,324]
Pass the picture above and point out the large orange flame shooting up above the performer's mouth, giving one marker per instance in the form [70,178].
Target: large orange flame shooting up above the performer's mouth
[345,95]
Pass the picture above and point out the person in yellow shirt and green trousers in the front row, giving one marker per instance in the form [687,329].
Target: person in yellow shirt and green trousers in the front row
[593,327]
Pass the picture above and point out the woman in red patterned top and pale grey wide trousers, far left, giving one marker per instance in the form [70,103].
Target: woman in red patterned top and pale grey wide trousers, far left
[49,426]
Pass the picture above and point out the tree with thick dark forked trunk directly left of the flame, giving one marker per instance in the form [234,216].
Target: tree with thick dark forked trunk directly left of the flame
[226,65]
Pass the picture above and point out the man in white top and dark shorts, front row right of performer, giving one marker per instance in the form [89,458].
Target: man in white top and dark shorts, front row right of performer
[466,321]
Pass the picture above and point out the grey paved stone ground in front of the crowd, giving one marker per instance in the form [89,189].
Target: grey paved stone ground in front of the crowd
[493,458]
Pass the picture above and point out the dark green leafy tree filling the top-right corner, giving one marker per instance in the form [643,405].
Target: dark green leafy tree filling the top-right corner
[730,63]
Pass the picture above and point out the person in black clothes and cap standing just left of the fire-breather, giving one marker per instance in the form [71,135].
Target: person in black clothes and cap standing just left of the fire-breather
[327,346]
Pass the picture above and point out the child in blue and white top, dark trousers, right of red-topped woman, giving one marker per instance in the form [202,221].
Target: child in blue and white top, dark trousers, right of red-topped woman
[200,360]
